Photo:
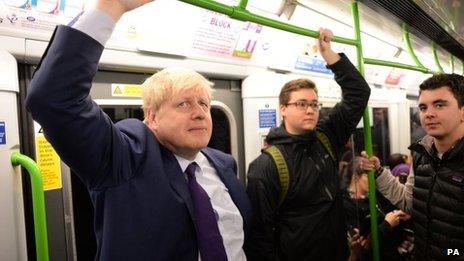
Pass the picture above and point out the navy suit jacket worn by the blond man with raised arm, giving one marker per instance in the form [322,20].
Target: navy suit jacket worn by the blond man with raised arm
[143,210]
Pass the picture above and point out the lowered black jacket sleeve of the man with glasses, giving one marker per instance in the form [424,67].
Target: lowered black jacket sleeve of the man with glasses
[263,189]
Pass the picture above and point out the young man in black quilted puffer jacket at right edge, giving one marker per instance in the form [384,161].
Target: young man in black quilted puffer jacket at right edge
[434,191]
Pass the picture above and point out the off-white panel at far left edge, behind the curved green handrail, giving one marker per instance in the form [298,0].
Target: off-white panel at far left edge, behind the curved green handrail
[13,244]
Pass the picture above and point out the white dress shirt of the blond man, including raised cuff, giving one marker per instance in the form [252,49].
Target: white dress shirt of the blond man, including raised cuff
[99,26]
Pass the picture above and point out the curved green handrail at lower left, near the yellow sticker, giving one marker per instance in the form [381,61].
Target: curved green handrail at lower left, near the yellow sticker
[38,203]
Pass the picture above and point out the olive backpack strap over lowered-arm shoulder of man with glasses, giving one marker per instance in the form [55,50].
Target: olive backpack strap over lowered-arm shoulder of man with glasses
[282,170]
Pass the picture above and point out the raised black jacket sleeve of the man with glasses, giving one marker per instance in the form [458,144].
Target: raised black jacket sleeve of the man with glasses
[343,118]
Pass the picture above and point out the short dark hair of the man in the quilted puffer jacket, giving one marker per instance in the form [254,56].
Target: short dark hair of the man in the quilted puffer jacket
[453,81]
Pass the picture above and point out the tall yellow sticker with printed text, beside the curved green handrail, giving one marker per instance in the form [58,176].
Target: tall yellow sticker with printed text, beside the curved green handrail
[48,162]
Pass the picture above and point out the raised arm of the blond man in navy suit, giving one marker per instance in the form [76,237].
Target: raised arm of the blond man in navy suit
[58,99]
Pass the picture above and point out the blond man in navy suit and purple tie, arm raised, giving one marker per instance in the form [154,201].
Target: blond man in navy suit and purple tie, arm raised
[154,184]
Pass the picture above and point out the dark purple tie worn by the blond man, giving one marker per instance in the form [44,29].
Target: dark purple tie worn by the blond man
[209,239]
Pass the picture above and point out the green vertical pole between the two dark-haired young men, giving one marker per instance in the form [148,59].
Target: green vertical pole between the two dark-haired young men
[367,139]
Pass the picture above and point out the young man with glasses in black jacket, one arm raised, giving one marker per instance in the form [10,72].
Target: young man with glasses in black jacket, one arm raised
[310,223]
